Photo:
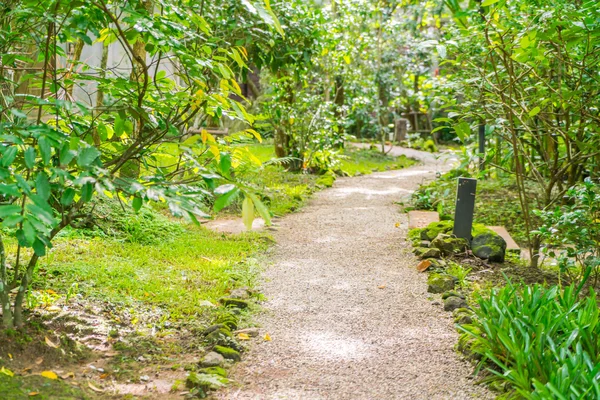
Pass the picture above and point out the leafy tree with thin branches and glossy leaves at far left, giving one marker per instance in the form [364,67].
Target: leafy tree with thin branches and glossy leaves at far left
[59,152]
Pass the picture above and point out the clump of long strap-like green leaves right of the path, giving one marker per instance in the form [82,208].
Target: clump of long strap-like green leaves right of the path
[543,343]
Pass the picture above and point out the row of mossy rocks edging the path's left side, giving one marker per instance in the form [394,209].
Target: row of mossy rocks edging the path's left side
[223,349]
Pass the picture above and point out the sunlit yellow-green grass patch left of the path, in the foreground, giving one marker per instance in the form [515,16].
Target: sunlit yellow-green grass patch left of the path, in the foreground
[176,274]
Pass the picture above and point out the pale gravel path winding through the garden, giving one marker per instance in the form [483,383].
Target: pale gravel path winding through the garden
[347,312]
